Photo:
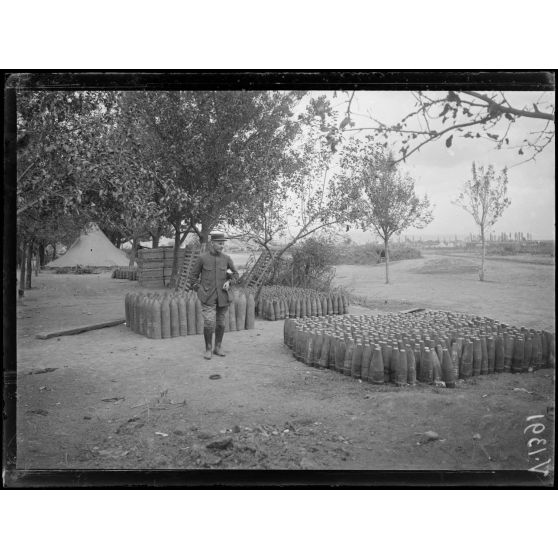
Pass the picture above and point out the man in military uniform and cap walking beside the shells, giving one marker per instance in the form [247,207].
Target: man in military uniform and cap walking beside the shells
[217,270]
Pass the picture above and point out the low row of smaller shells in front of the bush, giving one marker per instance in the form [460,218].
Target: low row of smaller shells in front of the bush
[277,303]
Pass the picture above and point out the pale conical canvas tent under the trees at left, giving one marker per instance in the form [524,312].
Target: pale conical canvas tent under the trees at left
[92,249]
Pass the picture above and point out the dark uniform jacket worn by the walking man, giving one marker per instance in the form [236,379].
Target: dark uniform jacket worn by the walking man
[213,270]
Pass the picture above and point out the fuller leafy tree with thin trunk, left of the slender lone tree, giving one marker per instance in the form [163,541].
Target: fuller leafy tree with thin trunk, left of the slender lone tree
[379,195]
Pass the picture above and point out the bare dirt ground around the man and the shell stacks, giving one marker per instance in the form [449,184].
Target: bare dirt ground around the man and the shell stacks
[112,399]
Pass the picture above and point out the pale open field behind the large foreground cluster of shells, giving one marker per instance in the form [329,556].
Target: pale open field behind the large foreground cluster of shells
[516,291]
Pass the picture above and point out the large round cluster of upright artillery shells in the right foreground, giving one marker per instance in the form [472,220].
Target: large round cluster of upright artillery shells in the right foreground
[429,347]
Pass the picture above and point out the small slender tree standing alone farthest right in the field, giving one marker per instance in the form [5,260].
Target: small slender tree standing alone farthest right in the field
[485,197]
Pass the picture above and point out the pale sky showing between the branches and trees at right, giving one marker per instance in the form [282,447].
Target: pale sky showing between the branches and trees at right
[440,172]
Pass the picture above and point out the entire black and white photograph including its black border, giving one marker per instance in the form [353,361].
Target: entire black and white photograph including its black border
[298,277]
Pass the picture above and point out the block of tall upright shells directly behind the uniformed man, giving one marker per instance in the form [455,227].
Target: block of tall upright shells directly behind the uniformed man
[161,316]
